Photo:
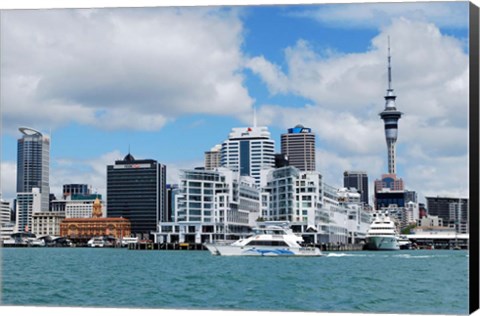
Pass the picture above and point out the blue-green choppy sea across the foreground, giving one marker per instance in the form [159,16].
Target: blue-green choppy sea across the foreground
[406,281]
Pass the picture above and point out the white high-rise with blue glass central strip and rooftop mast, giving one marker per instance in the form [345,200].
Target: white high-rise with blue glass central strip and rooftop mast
[248,151]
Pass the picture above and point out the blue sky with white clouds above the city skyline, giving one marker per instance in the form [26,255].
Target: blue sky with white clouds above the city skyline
[169,83]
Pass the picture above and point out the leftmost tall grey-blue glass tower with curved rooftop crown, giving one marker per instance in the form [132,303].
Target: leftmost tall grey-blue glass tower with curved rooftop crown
[33,164]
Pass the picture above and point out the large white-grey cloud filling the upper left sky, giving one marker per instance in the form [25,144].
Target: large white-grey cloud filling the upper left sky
[120,68]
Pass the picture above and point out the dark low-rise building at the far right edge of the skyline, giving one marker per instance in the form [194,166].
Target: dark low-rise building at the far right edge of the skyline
[452,210]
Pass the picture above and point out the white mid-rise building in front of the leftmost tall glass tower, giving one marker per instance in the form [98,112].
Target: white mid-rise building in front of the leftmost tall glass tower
[26,205]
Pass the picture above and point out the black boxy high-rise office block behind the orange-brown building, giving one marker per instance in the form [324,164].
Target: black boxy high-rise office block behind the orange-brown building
[136,190]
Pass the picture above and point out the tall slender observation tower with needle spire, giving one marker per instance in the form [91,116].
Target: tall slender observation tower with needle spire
[390,117]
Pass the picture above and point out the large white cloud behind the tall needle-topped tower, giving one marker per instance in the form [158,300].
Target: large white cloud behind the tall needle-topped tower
[430,78]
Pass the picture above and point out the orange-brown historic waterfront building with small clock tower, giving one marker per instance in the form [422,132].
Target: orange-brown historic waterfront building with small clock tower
[83,229]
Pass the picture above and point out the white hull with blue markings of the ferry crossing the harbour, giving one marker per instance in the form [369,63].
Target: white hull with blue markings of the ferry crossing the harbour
[229,250]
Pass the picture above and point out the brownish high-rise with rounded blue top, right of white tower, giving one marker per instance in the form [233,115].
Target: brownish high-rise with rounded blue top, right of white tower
[299,146]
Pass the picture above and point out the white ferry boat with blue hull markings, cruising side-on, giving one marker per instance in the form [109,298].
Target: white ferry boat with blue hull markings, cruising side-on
[269,239]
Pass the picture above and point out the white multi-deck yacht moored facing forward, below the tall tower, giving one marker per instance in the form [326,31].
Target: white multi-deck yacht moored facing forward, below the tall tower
[382,234]
